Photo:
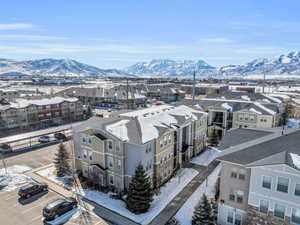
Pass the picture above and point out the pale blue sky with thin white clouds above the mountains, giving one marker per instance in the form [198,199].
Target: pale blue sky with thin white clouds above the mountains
[119,33]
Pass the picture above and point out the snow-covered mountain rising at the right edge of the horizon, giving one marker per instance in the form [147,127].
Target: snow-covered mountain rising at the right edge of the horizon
[288,64]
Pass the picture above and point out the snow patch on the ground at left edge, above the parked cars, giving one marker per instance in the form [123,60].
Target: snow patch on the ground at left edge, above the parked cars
[14,177]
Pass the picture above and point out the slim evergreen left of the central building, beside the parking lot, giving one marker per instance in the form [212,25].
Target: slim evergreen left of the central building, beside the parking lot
[61,161]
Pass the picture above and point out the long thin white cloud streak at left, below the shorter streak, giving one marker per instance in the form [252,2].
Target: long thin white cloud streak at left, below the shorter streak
[26,37]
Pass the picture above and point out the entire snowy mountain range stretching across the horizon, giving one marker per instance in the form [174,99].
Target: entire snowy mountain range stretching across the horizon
[285,65]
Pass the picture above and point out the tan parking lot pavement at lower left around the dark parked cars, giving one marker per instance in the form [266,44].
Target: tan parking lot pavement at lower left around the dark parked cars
[29,212]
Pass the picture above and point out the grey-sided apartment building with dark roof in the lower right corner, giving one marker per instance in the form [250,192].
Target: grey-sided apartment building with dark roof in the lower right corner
[260,181]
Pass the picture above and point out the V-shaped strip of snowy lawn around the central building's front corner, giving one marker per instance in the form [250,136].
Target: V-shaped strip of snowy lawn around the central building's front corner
[167,193]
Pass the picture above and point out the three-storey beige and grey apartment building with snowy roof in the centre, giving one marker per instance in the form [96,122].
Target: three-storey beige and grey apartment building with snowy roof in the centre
[161,138]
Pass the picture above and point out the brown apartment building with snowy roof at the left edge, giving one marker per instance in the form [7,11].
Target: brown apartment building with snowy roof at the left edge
[39,113]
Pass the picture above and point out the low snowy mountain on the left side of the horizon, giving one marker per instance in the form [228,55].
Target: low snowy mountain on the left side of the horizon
[55,67]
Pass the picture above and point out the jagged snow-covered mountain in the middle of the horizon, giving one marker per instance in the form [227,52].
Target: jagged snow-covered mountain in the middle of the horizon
[168,68]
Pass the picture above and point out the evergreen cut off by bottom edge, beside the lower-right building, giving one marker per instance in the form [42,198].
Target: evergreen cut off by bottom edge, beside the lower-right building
[203,213]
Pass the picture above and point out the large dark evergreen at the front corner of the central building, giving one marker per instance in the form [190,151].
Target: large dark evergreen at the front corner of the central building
[140,194]
